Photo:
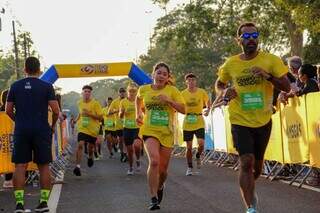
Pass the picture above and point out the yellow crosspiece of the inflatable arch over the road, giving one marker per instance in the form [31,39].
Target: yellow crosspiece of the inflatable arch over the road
[93,70]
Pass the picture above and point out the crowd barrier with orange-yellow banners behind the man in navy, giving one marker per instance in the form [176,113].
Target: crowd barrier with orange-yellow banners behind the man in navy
[60,146]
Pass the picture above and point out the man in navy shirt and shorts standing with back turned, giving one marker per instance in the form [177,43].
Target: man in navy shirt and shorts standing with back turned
[27,105]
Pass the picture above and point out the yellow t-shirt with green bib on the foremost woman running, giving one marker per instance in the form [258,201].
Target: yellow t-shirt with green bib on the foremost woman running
[158,118]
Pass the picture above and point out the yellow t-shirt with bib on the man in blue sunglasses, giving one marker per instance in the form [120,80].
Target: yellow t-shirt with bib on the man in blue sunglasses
[253,105]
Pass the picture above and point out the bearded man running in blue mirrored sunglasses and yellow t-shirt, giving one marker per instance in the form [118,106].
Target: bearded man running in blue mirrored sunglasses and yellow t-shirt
[252,74]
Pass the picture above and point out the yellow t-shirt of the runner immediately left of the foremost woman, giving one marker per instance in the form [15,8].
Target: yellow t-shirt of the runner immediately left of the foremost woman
[129,119]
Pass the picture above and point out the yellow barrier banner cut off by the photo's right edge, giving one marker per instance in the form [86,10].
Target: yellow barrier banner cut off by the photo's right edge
[313,120]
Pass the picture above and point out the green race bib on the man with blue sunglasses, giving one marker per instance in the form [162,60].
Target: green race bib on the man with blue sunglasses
[252,101]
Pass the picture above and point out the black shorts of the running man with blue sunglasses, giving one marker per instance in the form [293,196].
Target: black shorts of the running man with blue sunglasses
[249,140]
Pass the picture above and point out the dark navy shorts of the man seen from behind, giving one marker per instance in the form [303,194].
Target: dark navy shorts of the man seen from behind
[37,144]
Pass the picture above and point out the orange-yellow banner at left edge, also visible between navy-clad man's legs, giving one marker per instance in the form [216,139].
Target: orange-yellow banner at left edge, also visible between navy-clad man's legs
[6,145]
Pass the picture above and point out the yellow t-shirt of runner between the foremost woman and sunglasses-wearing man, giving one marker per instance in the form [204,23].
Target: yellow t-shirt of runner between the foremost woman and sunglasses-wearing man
[195,102]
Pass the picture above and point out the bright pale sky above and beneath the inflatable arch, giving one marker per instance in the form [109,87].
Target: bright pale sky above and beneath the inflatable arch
[83,31]
